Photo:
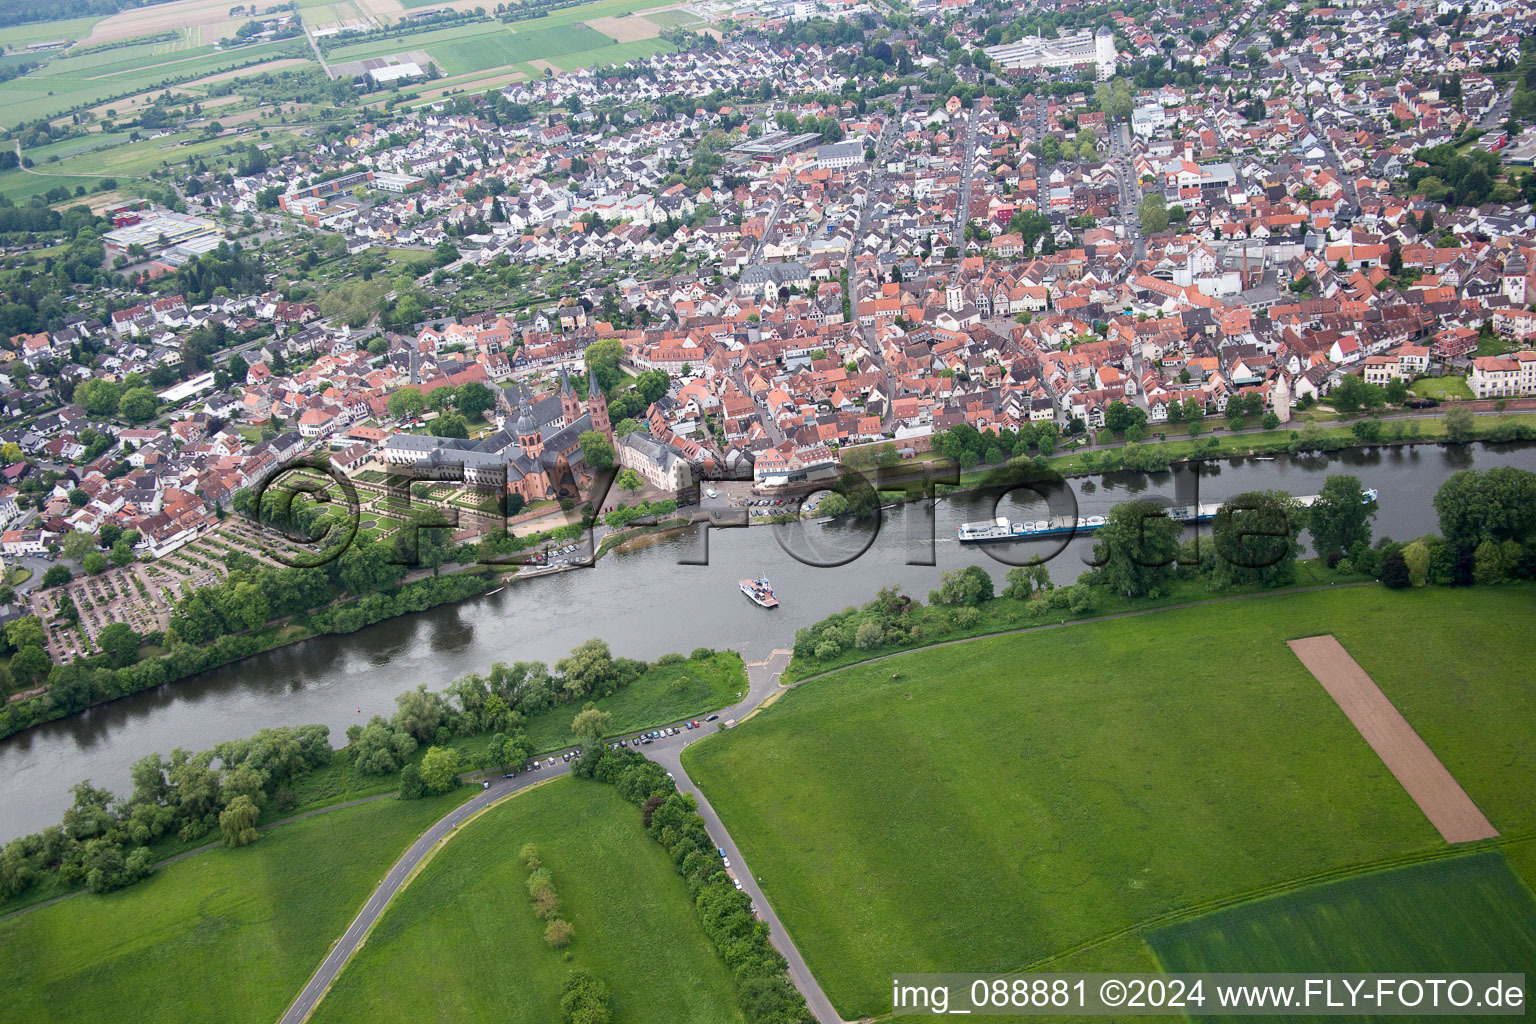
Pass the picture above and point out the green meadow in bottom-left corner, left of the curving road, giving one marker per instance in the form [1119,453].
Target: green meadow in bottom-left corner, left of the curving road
[223,937]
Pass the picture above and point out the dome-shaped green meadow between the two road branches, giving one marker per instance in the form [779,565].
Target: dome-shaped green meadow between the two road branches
[462,942]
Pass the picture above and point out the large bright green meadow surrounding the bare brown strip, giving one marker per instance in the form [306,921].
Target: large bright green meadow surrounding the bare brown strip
[1024,798]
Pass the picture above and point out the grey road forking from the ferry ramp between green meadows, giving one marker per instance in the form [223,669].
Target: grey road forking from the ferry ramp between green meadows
[763,681]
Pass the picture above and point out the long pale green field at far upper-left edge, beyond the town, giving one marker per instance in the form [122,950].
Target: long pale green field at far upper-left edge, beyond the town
[65,84]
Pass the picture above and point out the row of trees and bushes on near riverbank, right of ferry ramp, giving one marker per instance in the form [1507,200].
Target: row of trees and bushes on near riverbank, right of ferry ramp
[1488,537]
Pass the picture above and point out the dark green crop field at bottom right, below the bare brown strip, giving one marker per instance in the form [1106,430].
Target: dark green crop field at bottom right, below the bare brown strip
[1462,914]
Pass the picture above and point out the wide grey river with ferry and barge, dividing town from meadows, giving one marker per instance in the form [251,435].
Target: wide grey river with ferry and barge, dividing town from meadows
[646,603]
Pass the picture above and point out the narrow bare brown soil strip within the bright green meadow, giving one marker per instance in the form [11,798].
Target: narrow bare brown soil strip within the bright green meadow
[1409,758]
